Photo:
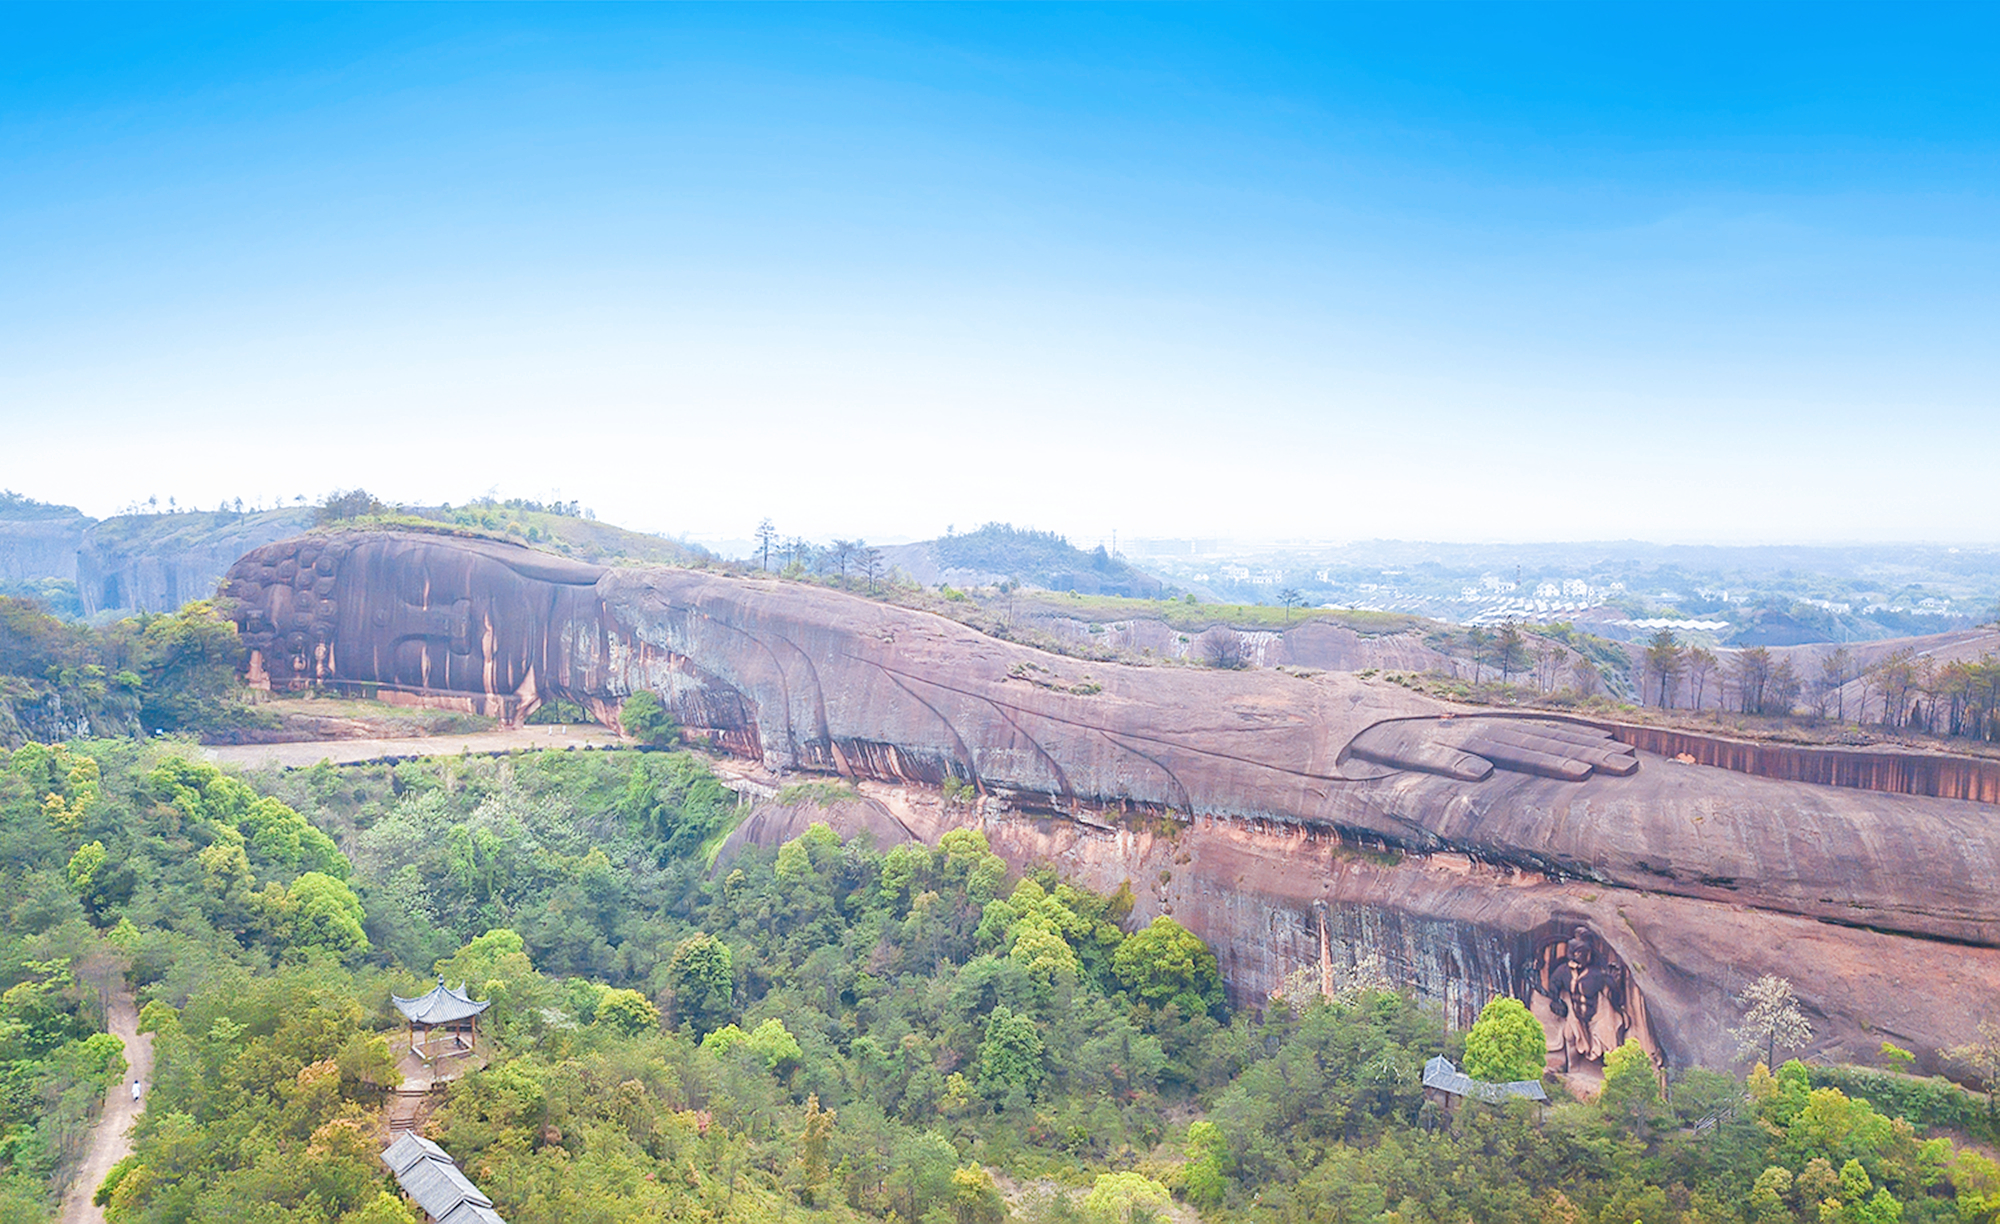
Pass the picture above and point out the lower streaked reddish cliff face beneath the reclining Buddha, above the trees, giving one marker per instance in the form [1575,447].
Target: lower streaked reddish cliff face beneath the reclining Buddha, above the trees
[1459,933]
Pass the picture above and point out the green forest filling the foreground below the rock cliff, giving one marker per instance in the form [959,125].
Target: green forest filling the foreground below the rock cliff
[827,1031]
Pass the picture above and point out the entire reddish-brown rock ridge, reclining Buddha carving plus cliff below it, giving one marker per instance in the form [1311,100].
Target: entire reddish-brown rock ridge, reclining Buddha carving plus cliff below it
[1329,825]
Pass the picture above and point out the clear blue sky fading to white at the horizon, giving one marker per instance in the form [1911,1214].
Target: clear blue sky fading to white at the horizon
[1403,271]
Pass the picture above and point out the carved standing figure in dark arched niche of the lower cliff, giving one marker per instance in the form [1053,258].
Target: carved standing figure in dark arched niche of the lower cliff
[1585,999]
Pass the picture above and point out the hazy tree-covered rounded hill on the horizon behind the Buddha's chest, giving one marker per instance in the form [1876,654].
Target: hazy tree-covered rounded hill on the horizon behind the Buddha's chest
[999,553]
